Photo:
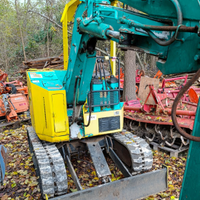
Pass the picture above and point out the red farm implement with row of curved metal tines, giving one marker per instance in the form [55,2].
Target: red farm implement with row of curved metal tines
[154,122]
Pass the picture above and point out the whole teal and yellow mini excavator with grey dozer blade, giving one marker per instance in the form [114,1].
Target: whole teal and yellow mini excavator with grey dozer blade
[74,110]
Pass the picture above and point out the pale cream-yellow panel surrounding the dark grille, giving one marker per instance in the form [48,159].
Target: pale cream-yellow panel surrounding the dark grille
[93,128]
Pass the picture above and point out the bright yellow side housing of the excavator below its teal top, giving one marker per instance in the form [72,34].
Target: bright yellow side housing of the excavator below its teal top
[48,111]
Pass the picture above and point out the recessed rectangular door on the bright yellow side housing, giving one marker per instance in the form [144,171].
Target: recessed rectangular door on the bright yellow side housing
[59,112]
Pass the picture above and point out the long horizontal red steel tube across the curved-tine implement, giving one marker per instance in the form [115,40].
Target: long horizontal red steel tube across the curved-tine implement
[169,111]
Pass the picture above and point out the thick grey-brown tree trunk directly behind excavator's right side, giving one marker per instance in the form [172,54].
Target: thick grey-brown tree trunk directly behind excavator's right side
[129,75]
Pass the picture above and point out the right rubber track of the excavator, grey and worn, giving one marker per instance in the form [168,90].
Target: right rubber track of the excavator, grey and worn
[139,149]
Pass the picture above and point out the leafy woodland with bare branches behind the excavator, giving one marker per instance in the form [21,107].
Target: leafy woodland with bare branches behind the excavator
[25,34]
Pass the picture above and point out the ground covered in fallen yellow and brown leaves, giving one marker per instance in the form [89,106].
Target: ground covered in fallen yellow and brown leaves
[21,181]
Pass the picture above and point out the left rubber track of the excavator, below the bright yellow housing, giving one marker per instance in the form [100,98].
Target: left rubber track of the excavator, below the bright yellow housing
[49,166]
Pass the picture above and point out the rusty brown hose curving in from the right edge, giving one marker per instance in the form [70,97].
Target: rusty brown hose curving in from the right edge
[175,104]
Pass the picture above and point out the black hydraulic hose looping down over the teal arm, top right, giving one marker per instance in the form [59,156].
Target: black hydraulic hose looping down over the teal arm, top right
[179,23]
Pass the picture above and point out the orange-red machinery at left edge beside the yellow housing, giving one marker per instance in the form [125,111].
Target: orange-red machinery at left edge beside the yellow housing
[13,97]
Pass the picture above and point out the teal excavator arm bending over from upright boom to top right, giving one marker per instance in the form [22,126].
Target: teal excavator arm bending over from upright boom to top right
[164,29]
